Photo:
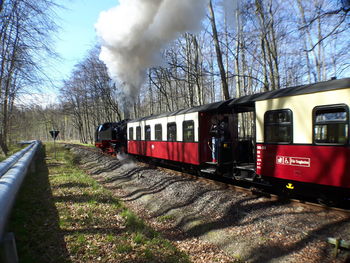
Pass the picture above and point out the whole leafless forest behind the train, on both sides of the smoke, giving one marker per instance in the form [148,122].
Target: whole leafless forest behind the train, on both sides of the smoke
[261,45]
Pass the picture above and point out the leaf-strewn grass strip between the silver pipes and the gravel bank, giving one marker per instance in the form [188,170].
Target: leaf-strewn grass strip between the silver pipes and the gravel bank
[64,215]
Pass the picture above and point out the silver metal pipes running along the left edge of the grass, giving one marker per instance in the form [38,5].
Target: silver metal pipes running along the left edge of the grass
[12,172]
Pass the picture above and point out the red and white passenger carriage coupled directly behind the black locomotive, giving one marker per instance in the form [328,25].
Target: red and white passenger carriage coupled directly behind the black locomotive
[182,136]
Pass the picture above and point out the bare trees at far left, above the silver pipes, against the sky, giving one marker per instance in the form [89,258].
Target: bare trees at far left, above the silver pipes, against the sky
[25,34]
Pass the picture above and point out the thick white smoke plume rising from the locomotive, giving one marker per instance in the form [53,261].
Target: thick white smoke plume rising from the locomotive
[134,32]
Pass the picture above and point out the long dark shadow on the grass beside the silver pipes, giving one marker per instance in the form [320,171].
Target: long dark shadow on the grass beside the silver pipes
[35,219]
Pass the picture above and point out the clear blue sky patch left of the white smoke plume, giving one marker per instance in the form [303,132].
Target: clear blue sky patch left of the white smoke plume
[76,35]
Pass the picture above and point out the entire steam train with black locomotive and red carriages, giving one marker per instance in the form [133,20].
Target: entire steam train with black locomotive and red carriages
[295,139]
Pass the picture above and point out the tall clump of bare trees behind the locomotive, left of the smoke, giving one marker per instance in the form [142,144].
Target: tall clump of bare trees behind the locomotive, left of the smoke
[90,97]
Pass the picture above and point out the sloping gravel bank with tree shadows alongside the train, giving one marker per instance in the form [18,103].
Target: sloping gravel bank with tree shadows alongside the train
[205,219]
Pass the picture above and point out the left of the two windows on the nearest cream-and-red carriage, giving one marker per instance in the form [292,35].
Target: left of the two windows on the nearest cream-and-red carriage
[278,126]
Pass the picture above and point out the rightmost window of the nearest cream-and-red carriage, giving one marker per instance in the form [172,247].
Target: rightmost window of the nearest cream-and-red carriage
[331,124]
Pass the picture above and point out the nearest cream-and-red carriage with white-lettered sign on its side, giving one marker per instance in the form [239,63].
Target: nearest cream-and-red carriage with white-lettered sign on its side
[302,136]
